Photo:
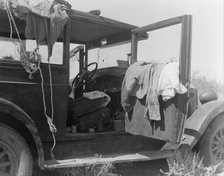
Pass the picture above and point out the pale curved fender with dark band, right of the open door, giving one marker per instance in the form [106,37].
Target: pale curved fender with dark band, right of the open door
[197,124]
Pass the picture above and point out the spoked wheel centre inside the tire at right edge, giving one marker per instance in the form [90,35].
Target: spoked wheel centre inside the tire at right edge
[217,146]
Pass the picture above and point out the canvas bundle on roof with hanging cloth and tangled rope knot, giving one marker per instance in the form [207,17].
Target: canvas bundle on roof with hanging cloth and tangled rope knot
[44,23]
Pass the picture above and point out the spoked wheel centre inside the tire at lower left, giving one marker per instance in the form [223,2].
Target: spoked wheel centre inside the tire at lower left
[8,161]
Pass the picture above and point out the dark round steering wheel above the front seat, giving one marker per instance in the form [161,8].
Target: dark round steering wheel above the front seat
[84,75]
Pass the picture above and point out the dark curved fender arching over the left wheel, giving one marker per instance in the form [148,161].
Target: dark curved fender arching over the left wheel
[16,112]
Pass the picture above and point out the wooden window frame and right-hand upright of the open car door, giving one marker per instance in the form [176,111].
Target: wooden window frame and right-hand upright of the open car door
[184,58]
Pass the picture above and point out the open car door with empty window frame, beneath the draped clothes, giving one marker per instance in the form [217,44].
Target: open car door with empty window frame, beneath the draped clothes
[173,112]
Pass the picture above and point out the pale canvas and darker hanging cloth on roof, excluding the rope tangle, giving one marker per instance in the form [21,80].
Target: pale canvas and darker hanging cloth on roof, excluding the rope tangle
[44,18]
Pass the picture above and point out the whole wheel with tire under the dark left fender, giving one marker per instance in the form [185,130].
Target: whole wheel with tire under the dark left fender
[15,155]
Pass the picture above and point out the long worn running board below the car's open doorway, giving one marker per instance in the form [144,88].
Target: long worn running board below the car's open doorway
[141,156]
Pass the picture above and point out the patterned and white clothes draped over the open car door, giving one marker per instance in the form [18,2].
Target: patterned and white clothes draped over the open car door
[148,81]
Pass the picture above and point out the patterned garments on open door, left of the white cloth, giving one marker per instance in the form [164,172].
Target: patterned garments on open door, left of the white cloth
[141,79]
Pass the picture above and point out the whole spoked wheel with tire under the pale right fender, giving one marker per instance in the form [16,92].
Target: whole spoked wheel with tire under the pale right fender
[211,145]
